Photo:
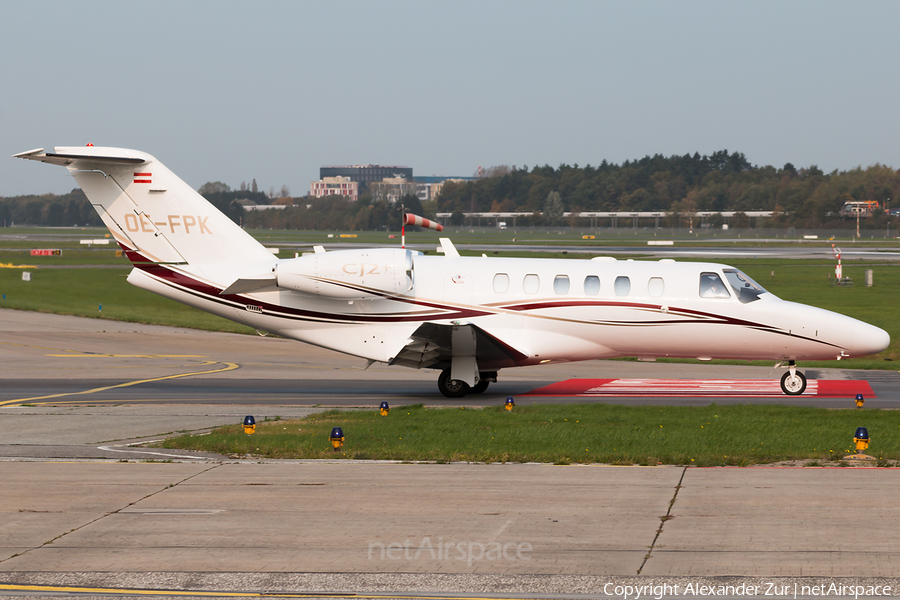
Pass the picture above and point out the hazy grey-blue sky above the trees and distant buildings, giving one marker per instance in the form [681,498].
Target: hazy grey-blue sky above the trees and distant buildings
[230,91]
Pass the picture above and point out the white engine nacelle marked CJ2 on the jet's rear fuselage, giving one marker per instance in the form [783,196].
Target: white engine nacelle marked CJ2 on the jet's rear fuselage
[349,274]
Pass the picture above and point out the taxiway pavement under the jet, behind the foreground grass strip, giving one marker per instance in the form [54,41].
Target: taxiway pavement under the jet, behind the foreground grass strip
[58,360]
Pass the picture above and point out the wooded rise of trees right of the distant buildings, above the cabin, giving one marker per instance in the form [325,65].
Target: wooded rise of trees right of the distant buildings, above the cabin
[722,181]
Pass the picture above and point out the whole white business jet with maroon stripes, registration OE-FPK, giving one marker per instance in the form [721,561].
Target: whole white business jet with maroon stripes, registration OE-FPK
[467,317]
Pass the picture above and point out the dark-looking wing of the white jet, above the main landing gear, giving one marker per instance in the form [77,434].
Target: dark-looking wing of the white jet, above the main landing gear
[431,346]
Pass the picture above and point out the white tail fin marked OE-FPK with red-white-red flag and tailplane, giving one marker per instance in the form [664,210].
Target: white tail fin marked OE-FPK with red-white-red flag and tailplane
[153,214]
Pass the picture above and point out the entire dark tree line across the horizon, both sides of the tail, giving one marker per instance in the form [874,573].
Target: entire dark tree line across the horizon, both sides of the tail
[679,185]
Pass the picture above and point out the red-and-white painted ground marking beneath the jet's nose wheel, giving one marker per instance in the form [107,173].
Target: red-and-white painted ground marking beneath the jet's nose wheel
[750,388]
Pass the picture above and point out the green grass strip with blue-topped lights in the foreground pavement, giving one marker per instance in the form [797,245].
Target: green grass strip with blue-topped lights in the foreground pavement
[575,433]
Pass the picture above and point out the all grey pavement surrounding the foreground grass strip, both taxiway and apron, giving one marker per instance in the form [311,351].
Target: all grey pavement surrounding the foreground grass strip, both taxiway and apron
[80,505]
